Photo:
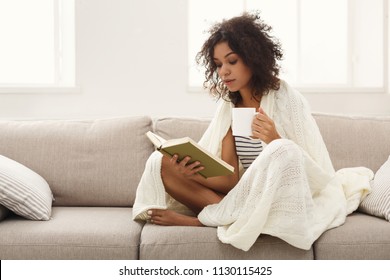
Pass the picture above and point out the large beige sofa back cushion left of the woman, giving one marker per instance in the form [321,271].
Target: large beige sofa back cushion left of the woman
[86,162]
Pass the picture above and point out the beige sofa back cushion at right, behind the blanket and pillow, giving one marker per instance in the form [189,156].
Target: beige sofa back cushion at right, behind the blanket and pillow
[355,141]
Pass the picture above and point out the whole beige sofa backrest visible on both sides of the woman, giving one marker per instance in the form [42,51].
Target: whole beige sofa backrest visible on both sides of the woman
[100,162]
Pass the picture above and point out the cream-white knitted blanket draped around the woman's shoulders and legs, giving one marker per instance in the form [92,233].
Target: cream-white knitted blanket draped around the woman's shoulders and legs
[290,191]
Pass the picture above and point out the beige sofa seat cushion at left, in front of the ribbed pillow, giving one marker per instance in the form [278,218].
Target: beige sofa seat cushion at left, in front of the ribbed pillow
[73,233]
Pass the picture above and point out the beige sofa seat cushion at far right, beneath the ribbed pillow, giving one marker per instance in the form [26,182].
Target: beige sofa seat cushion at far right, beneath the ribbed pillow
[361,237]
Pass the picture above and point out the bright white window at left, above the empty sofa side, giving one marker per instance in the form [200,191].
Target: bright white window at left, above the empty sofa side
[37,43]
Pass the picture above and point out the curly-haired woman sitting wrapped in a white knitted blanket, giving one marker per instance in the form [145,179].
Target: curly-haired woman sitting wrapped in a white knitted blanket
[287,189]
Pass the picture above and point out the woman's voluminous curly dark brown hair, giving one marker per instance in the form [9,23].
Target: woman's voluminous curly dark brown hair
[248,36]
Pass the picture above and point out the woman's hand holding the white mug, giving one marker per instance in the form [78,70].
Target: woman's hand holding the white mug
[263,127]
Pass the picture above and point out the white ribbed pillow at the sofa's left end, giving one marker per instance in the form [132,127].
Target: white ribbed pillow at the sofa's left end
[23,191]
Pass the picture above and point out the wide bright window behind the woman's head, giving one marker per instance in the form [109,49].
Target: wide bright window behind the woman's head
[333,45]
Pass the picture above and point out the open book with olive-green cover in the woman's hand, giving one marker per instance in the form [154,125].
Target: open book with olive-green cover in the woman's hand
[213,166]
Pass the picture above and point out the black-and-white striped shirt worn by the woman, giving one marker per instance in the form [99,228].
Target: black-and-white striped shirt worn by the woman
[247,149]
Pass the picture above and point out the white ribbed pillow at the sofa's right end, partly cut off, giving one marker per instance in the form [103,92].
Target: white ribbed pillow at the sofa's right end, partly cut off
[377,203]
